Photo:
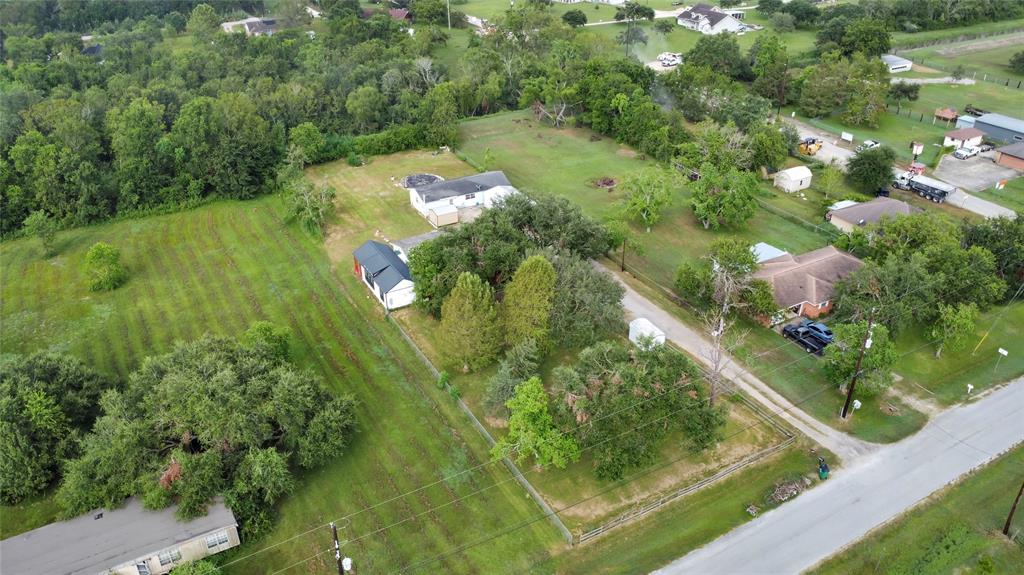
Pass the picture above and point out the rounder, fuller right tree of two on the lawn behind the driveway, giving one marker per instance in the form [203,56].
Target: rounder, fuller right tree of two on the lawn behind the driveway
[723,197]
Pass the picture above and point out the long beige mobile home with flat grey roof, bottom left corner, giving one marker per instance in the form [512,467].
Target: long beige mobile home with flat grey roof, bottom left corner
[130,541]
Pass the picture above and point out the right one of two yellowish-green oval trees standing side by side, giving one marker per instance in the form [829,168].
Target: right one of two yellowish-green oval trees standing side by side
[528,303]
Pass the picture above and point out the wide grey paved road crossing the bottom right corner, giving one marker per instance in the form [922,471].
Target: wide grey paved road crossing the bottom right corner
[873,491]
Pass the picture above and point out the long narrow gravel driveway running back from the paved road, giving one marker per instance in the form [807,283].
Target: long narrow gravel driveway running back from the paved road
[698,345]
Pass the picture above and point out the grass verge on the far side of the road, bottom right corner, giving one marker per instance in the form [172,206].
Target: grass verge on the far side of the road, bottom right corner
[950,534]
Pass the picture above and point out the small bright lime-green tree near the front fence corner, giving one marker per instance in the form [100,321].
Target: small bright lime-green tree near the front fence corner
[533,432]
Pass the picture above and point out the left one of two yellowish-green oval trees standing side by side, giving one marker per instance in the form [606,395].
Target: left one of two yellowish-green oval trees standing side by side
[470,334]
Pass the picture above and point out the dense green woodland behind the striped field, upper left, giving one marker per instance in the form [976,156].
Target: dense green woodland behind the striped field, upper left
[147,123]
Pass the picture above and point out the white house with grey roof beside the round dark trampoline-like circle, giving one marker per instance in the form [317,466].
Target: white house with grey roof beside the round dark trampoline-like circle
[441,202]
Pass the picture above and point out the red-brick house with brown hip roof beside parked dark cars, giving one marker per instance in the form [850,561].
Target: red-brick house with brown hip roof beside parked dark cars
[803,285]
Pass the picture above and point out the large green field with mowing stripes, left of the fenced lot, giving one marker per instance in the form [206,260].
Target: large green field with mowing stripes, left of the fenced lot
[220,269]
